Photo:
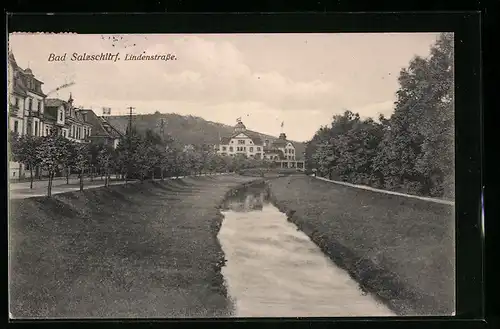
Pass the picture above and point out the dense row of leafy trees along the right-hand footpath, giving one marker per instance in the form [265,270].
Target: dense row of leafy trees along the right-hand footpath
[413,150]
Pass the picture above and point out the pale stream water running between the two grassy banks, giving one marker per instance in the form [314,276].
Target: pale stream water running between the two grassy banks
[275,270]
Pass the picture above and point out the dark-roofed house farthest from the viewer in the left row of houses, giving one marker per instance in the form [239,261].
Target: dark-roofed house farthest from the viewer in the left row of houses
[102,131]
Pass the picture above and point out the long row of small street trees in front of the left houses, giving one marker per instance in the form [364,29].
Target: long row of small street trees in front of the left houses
[137,156]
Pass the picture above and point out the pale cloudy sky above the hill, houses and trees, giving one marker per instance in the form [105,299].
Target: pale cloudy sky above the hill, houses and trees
[301,80]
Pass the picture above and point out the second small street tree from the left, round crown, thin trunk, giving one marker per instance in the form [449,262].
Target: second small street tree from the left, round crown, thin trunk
[51,153]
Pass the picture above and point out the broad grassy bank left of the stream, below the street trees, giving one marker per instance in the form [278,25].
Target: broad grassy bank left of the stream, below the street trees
[138,250]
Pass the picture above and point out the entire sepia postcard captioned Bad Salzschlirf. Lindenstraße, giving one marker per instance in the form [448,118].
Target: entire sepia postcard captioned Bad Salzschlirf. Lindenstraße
[231,175]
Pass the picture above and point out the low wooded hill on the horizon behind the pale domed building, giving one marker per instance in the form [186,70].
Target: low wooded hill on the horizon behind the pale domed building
[186,129]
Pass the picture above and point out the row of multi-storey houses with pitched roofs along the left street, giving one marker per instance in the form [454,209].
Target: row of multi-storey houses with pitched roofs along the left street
[32,112]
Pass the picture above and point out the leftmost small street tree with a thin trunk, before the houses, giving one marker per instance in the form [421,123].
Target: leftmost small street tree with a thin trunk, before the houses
[23,150]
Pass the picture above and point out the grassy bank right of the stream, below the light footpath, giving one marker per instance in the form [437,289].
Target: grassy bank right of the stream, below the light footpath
[398,248]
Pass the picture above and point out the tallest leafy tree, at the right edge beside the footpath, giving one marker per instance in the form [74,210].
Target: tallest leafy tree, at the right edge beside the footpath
[416,153]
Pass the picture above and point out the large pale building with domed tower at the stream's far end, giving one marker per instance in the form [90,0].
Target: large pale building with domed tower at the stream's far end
[243,142]
